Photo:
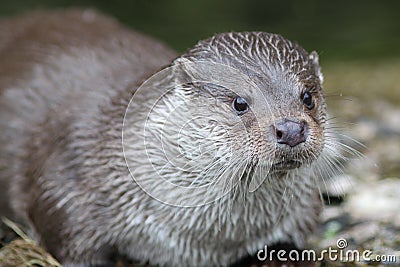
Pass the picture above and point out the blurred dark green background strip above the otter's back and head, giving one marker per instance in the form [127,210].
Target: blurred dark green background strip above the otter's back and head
[338,30]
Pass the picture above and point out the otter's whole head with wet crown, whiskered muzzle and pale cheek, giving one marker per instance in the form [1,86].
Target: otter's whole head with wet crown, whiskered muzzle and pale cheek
[242,107]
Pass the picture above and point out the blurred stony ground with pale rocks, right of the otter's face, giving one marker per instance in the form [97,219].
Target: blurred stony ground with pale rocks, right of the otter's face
[365,99]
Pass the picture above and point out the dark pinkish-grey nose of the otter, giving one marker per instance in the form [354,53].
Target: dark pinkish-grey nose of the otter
[290,132]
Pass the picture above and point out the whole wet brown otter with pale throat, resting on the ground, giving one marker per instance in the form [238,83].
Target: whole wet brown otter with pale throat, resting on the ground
[112,143]
